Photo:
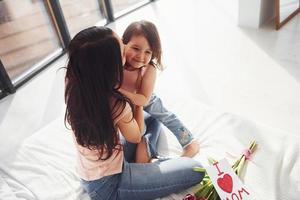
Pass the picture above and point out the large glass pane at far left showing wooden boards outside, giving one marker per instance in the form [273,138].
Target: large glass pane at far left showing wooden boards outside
[27,35]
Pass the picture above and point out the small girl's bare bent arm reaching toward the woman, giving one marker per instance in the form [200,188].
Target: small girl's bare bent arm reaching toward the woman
[142,97]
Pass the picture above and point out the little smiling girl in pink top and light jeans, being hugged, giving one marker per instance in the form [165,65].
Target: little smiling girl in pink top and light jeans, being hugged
[143,58]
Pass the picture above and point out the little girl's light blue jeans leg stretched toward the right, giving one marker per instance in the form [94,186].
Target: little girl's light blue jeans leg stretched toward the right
[156,109]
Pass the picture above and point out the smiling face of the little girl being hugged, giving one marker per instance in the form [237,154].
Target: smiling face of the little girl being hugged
[138,52]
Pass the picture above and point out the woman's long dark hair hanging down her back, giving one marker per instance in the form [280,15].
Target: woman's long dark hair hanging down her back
[94,75]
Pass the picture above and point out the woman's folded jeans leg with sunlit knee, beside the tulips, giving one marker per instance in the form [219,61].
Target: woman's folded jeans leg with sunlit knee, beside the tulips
[159,179]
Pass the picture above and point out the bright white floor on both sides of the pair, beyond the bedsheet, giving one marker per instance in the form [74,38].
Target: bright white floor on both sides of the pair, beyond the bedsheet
[254,73]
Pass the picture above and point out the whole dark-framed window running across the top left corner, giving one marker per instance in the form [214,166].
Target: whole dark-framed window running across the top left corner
[35,32]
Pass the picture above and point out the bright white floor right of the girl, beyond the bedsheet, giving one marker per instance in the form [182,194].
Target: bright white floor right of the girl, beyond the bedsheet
[251,72]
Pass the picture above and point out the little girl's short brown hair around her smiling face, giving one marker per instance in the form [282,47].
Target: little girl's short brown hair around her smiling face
[149,31]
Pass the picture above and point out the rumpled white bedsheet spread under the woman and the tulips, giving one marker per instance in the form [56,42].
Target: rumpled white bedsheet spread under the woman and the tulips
[43,167]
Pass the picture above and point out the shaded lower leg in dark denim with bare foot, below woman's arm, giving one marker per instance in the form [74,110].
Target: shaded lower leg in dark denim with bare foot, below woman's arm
[147,148]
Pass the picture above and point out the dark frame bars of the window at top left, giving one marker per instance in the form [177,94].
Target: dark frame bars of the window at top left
[8,86]
